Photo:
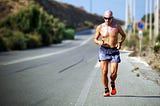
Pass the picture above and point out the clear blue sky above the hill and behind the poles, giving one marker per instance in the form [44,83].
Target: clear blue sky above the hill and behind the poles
[117,7]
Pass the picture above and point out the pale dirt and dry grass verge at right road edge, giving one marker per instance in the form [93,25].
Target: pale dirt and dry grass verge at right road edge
[147,65]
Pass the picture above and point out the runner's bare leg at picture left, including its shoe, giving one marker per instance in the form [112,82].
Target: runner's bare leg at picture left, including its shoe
[104,67]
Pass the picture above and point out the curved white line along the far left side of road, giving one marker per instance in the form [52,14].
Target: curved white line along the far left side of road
[45,55]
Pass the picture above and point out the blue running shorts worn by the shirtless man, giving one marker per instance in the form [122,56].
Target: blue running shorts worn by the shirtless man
[109,54]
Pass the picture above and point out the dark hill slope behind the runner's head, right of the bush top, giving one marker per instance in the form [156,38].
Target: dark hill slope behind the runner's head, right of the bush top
[71,15]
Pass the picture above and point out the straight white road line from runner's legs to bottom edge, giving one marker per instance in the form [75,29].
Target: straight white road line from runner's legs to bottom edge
[84,92]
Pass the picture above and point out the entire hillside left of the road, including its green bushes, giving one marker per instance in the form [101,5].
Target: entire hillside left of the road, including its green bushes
[26,24]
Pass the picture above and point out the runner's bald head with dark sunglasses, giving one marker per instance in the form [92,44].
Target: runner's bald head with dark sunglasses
[108,16]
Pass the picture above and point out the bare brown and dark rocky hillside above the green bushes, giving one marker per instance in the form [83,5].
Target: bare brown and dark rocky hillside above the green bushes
[73,16]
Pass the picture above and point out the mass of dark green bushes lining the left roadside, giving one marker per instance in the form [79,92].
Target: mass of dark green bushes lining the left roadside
[32,27]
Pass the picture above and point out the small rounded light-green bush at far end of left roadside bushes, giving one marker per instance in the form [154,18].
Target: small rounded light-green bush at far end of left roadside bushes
[69,34]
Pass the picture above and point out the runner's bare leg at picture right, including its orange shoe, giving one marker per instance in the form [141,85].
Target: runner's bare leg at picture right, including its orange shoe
[113,76]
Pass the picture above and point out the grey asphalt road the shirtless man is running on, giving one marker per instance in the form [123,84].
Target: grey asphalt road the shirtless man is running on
[68,74]
